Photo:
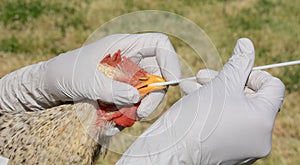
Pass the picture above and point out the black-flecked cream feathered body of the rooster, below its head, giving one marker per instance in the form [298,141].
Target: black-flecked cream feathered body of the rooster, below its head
[63,134]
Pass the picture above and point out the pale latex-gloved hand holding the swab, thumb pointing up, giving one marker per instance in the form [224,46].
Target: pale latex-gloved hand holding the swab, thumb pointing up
[218,123]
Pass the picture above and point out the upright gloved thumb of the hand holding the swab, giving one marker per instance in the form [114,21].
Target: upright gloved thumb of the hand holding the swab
[236,71]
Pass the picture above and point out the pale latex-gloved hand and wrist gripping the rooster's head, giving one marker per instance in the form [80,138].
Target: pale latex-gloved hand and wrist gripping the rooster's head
[73,76]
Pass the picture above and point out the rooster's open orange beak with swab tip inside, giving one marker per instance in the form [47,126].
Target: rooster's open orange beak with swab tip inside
[144,89]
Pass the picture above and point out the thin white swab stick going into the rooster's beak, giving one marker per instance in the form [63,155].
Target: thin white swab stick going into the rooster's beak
[255,68]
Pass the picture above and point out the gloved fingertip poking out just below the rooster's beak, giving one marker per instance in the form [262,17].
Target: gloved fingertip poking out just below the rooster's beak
[149,103]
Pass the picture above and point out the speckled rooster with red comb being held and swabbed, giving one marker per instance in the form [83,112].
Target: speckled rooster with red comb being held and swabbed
[73,133]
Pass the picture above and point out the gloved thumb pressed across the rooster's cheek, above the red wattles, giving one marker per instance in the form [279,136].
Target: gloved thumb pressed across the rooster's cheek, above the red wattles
[112,91]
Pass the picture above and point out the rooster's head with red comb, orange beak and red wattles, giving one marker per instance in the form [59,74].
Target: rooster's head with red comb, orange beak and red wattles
[123,69]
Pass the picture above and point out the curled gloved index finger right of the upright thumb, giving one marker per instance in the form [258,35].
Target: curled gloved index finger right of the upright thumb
[269,90]
